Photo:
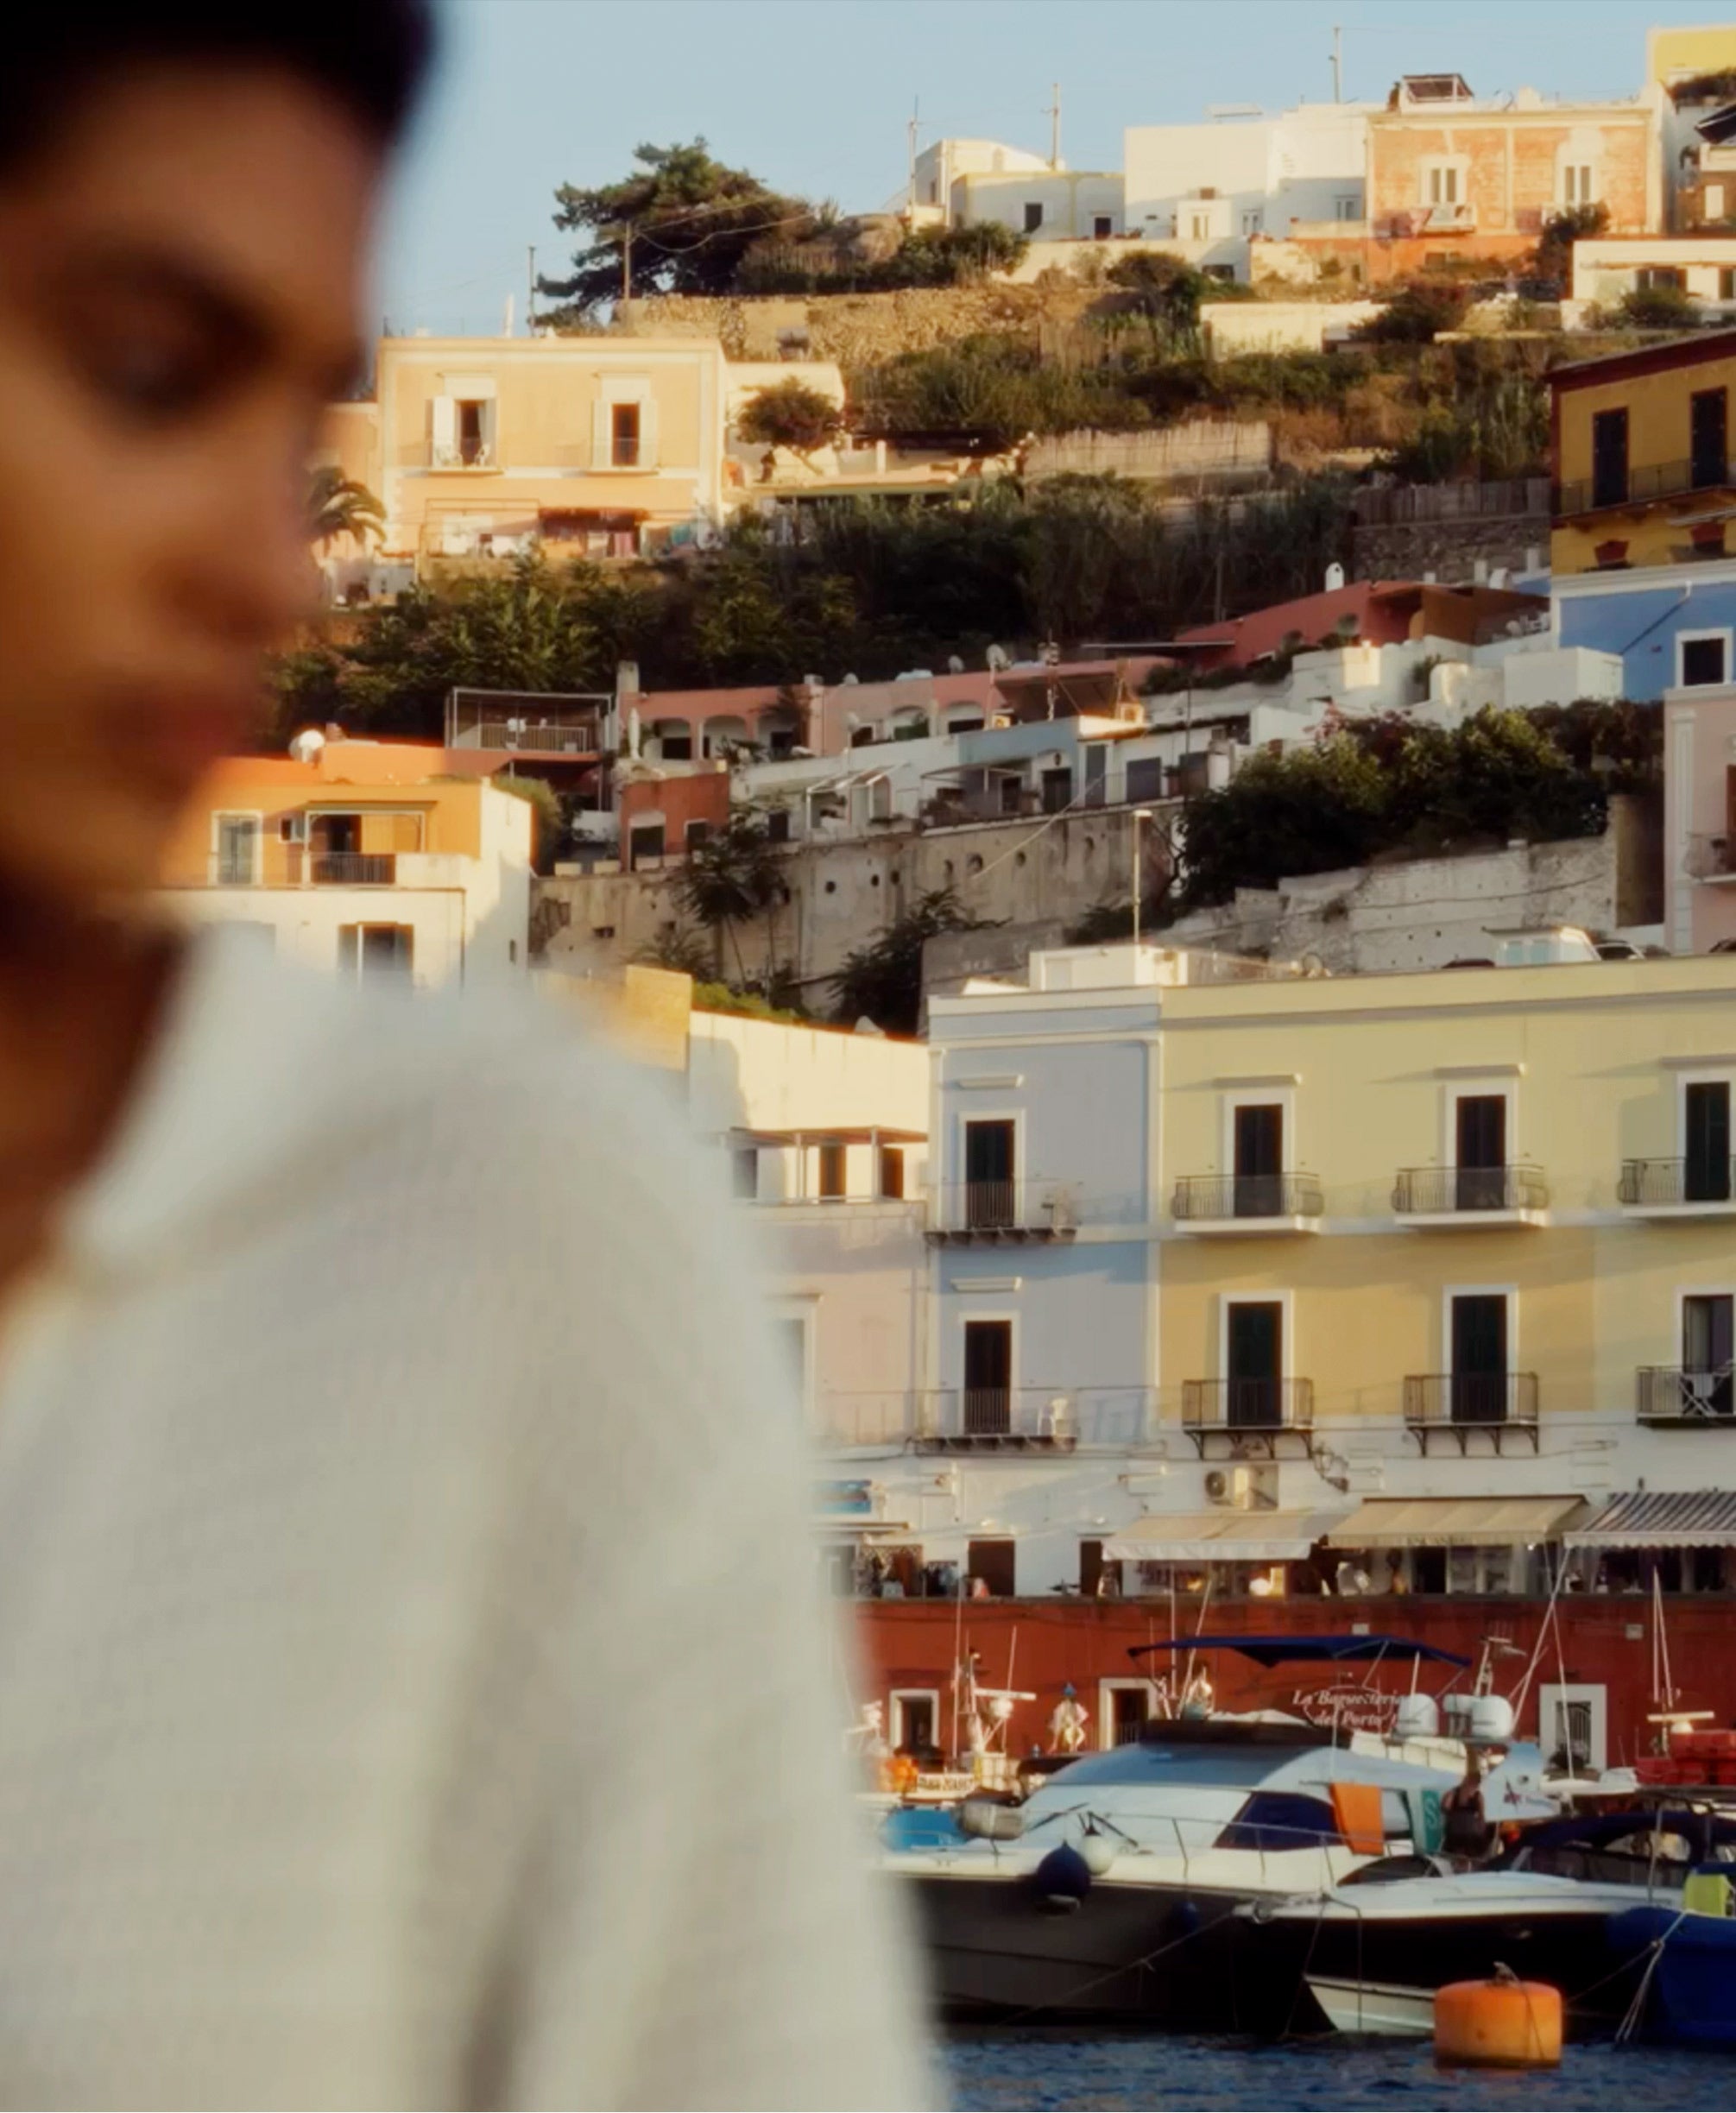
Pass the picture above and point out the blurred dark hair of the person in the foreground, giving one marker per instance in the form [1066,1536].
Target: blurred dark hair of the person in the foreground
[369,56]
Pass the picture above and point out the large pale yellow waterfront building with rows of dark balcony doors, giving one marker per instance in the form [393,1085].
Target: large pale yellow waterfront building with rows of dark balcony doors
[1460,1233]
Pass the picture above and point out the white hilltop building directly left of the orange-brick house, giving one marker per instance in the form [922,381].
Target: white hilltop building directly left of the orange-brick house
[1242,174]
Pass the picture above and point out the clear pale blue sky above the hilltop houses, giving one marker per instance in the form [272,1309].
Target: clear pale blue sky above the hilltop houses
[815,96]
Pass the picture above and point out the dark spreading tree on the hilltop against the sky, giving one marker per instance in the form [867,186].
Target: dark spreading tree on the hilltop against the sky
[686,219]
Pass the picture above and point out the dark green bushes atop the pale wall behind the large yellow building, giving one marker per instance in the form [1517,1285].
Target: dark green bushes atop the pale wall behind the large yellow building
[1397,789]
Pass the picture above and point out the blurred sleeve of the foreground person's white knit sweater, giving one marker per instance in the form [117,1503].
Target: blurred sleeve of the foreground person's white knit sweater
[701,1926]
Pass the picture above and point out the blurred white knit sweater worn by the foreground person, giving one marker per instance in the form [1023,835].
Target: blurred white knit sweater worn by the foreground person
[411,1679]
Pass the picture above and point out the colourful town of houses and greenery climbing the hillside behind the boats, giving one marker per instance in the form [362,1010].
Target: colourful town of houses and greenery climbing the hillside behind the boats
[1149,762]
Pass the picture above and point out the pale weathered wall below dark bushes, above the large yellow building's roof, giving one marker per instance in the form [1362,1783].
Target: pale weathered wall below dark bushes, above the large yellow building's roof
[1422,914]
